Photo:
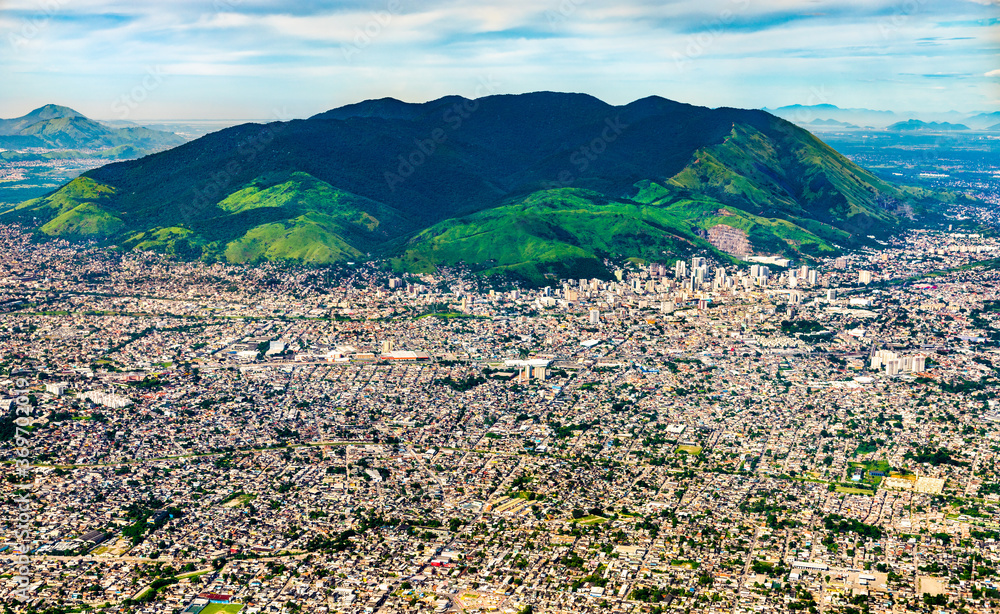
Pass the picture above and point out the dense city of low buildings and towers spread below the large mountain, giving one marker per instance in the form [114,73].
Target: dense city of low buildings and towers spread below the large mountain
[689,436]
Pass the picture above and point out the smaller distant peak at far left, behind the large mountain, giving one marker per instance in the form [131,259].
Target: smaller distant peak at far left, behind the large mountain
[56,127]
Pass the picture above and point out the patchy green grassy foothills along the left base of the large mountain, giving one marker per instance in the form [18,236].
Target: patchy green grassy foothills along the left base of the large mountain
[291,216]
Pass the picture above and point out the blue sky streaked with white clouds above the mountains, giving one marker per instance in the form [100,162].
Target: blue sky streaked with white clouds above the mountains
[283,59]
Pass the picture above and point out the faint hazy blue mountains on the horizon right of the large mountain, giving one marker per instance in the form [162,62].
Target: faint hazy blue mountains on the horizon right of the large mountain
[819,115]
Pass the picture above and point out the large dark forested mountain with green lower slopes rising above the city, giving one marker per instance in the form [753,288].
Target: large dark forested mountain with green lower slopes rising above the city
[529,185]
